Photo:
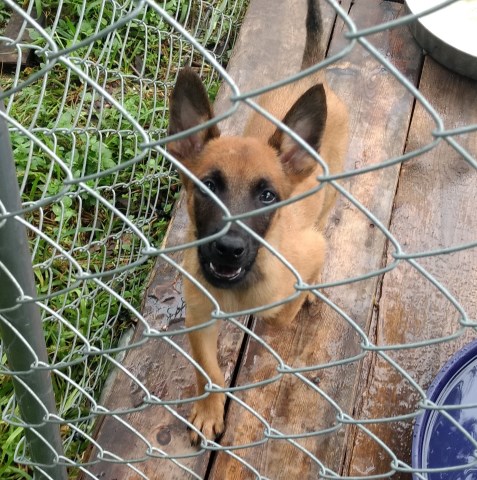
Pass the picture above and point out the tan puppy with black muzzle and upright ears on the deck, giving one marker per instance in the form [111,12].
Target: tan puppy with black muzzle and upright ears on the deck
[258,169]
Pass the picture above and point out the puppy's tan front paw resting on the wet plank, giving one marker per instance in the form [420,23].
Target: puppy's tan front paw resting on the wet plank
[208,417]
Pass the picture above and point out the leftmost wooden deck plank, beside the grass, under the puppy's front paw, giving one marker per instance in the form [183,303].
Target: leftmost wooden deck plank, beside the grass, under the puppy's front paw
[164,372]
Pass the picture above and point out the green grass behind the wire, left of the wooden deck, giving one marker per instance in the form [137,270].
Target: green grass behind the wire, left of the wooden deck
[90,135]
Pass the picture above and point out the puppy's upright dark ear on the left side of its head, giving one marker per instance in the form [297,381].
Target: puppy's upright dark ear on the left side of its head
[189,107]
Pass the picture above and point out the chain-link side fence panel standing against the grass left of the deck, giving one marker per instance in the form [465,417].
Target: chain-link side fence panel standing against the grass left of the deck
[88,89]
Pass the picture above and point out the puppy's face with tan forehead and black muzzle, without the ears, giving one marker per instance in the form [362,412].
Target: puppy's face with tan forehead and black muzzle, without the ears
[233,169]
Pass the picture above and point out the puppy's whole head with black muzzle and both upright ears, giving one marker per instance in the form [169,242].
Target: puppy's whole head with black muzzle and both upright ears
[244,173]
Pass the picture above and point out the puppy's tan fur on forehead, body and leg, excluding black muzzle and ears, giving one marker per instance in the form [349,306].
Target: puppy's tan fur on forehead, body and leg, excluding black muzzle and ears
[295,232]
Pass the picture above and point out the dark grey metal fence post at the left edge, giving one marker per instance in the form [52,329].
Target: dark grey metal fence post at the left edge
[21,328]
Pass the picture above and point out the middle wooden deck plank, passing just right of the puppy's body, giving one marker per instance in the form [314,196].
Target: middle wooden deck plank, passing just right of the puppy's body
[380,113]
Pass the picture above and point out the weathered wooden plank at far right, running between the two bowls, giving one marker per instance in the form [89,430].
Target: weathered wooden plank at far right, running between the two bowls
[434,209]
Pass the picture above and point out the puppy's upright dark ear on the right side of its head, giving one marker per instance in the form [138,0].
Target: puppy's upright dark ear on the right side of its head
[307,117]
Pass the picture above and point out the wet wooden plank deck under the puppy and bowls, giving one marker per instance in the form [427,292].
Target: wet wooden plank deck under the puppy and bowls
[428,203]
